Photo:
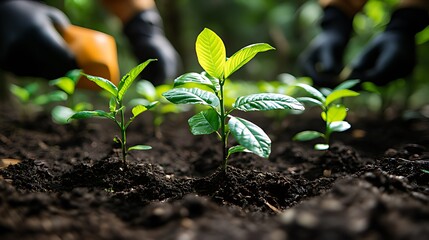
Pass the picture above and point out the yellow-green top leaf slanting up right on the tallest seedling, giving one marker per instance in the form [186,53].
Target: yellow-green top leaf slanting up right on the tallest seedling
[243,56]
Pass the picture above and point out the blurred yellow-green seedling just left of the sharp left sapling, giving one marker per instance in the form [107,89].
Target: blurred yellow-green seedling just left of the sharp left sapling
[61,114]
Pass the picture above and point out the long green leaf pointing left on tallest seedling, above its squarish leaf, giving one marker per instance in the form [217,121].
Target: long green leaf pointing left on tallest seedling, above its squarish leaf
[191,96]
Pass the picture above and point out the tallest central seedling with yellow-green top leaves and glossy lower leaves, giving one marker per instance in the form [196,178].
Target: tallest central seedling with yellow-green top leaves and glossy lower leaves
[208,89]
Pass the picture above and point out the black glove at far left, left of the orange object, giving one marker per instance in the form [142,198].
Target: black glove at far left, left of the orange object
[30,44]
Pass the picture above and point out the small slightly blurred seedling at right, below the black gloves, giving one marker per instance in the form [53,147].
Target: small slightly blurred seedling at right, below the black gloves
[333,113]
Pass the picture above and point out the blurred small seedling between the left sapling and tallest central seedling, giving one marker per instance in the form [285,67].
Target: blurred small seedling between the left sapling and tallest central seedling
[150,93]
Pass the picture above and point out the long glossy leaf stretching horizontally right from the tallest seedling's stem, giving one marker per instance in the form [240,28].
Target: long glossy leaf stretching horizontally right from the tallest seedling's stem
[266,101]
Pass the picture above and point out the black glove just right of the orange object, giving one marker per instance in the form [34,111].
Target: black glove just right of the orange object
[146,35]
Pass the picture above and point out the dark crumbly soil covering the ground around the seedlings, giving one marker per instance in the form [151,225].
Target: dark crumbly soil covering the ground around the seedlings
[72,184]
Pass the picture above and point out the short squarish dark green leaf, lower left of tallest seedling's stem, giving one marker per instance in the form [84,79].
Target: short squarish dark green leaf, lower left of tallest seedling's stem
[204,122]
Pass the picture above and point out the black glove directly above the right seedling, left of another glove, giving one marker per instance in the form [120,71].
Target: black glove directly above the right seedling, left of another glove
[322,60]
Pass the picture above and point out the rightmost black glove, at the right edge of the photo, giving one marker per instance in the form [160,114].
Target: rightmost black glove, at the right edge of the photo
[392,54]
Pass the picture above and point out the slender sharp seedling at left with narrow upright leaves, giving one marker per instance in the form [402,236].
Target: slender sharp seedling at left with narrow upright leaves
[116,107]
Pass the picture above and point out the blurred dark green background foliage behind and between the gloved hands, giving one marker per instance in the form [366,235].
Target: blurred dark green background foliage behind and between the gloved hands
[288,25]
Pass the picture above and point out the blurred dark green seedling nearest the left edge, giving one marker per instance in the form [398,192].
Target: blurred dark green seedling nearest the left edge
[33,99]
